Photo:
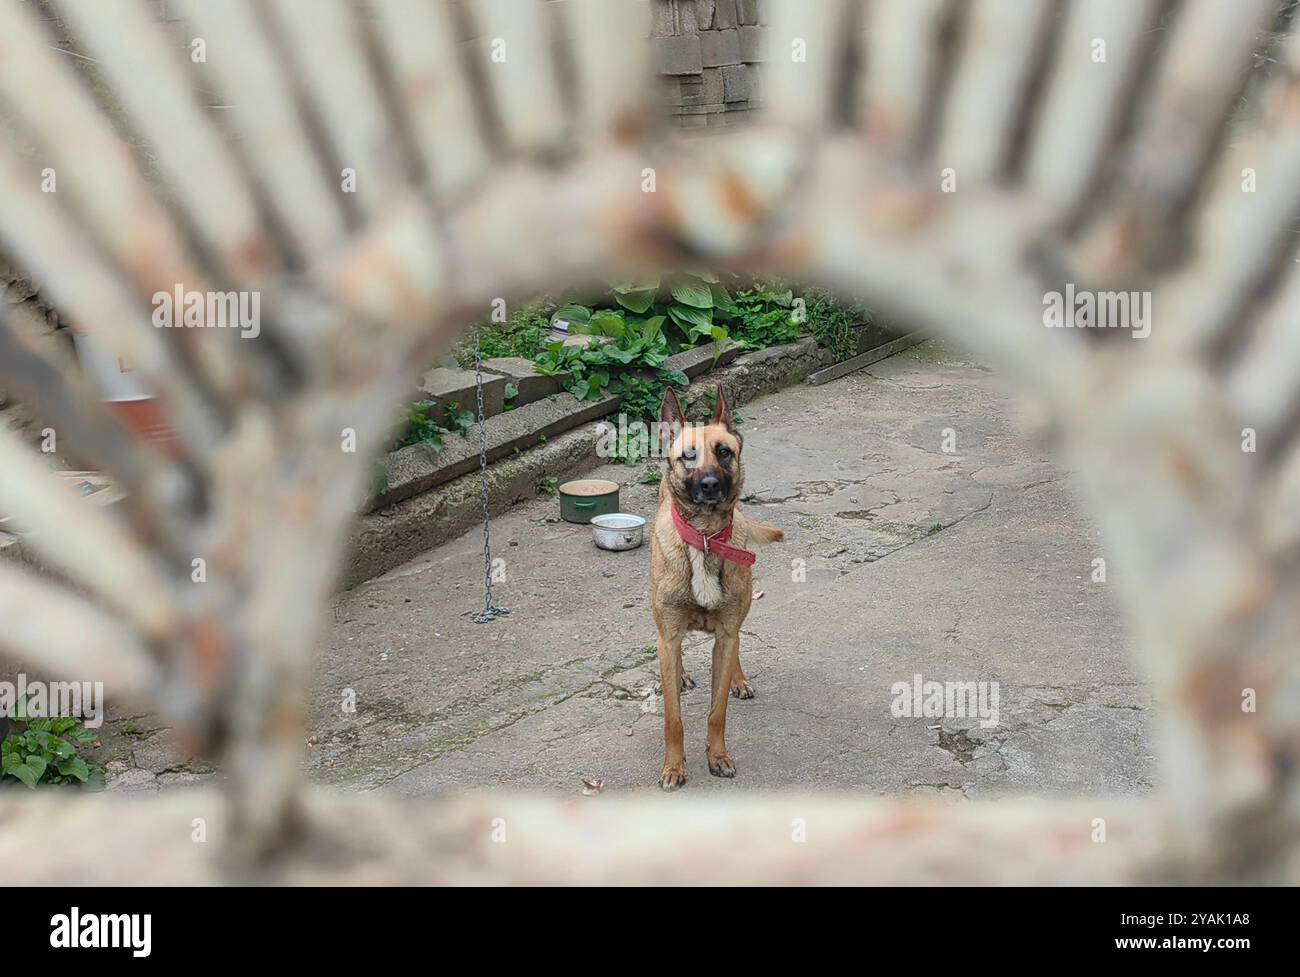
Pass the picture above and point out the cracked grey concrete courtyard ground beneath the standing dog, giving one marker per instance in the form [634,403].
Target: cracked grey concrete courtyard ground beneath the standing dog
[902,559]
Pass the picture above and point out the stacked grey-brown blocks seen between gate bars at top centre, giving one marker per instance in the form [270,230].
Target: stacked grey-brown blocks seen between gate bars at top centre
[709,54]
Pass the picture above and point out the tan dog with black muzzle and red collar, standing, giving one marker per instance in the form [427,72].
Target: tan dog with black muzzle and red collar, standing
[700,572]
